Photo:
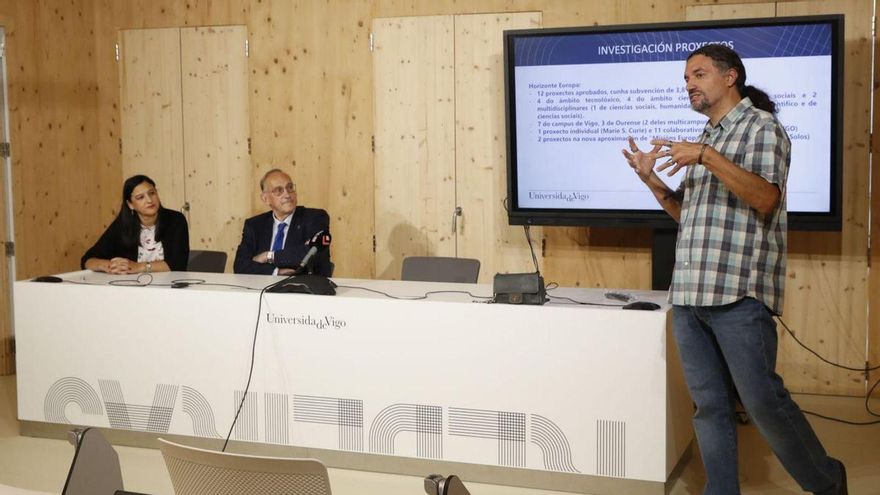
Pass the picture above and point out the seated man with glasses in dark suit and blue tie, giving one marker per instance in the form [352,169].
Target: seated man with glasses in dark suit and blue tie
[275,242]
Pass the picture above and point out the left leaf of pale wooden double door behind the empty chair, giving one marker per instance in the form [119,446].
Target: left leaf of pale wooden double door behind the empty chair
[413,77]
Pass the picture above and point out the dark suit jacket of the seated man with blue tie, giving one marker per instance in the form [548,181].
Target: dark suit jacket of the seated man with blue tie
[256,237]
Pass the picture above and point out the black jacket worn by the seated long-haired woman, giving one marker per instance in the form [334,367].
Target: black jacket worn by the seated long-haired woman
[174,237]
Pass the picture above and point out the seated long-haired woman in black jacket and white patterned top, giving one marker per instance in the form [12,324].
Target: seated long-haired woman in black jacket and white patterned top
[144,237]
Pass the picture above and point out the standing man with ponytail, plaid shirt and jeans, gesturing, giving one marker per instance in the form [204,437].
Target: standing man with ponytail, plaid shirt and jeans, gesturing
[730,271]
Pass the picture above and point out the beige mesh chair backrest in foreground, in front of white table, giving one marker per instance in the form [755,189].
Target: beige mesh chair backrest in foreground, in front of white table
[197,471]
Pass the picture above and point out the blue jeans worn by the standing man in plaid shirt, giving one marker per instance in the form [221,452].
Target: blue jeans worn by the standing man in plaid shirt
[734,345]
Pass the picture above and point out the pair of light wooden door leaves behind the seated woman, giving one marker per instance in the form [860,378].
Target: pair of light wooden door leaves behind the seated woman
[185,123]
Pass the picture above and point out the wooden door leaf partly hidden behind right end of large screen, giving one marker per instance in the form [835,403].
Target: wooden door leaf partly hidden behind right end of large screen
[827,294]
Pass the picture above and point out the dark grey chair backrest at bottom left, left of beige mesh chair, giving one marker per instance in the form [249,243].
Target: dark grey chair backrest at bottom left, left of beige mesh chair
[95,468]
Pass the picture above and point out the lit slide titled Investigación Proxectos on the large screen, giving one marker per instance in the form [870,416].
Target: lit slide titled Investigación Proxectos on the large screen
[578,98]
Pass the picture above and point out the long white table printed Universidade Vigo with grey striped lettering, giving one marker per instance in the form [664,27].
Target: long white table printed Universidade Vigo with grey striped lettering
[561,396]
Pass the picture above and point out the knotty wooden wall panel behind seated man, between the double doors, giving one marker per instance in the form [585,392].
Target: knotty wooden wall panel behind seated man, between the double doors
[312,106]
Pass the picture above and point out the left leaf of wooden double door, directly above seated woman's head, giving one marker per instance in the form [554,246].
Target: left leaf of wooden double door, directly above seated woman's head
[151,110]
